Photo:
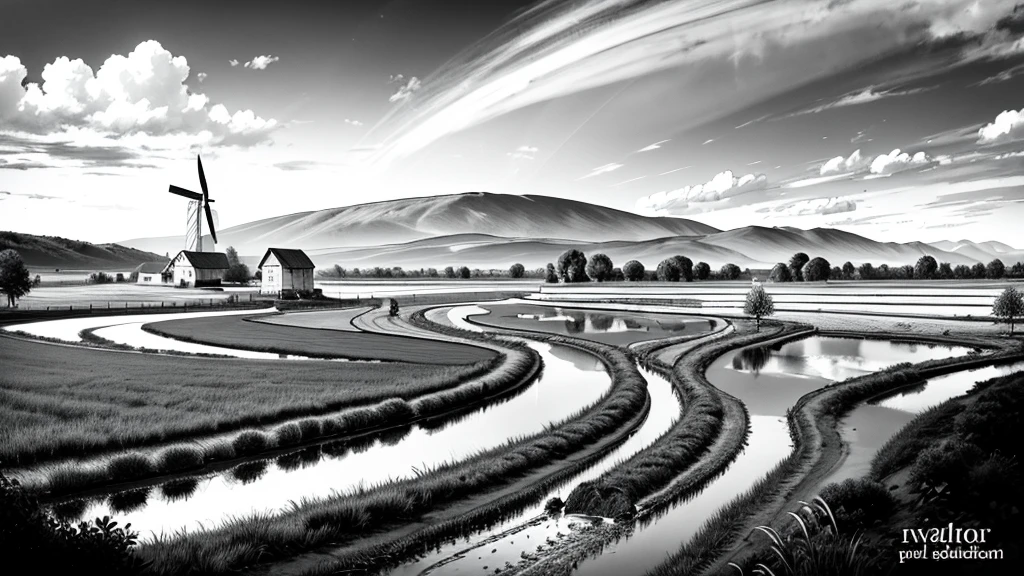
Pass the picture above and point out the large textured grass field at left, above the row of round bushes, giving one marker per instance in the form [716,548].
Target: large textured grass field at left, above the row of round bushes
[60,401]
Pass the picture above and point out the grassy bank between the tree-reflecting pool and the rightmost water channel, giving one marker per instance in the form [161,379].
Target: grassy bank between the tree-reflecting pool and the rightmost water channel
[814,426]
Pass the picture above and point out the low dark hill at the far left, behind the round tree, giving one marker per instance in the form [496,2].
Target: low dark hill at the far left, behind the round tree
[53,252]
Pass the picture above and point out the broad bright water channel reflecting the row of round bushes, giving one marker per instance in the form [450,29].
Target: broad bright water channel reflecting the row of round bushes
[571,382]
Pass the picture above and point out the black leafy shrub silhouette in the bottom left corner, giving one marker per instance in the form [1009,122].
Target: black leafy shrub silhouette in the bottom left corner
[33,536]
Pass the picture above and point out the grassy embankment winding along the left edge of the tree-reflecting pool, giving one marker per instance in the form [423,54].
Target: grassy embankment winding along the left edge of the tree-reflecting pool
[688,376]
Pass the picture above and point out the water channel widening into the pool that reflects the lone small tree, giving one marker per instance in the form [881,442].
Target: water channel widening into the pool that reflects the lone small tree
[797,369]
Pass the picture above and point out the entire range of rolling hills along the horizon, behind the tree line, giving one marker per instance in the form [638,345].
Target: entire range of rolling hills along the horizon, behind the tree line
[483,230]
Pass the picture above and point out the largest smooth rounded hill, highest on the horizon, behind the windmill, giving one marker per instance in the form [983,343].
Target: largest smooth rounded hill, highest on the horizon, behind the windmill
[417,219]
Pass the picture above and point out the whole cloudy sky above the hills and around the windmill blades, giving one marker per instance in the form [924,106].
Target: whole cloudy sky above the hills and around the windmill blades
[900,121]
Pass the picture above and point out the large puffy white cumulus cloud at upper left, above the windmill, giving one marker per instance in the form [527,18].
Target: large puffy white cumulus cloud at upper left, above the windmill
[142,94]
